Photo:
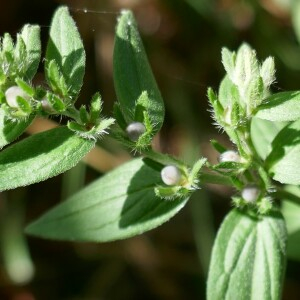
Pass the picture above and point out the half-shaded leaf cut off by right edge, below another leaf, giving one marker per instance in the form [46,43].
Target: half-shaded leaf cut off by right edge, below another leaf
[283,162]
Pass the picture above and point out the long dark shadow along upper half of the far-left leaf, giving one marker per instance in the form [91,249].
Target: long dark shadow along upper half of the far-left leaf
[35,145]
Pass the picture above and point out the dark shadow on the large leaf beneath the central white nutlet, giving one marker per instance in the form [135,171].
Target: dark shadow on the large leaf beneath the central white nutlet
[141,204]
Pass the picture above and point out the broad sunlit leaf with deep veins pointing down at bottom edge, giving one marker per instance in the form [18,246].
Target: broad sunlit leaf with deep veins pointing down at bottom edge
[248,258]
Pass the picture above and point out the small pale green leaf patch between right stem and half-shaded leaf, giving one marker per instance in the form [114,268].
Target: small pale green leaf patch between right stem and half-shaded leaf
[263,133]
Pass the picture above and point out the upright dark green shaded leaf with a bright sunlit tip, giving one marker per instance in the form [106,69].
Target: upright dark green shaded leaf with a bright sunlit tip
[129,55]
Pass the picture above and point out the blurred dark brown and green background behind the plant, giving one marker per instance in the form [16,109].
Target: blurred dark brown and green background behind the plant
[183,40]
